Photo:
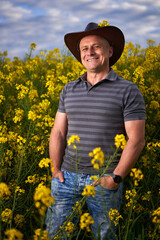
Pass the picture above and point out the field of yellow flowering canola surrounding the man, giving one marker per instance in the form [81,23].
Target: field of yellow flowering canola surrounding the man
[29,94]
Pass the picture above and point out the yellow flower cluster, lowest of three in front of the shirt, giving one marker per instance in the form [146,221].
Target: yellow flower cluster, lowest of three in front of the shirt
[98,157]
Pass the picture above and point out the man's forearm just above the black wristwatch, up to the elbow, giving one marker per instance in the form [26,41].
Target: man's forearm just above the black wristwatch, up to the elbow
[129,157]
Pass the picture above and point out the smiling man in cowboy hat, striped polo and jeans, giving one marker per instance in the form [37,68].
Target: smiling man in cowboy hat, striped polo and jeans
[96,107]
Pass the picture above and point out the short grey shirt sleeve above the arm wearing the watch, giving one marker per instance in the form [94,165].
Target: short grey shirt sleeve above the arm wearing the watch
[134,105]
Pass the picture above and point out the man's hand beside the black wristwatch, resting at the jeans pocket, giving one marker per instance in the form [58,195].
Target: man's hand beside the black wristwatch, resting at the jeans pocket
[107,182]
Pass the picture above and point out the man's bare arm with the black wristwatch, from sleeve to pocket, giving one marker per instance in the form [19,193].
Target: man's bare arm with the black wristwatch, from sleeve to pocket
[136,141]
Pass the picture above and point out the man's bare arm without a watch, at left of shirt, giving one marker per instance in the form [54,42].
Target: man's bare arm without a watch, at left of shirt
[57,144]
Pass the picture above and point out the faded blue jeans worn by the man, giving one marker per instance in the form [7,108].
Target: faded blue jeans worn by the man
[66,194]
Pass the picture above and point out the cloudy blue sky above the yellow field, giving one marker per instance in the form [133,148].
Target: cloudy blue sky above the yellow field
[45,22]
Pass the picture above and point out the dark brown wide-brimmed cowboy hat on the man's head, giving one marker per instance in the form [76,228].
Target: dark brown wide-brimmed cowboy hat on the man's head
[111,33]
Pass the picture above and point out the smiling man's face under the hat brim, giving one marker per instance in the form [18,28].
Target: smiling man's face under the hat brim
[95,53]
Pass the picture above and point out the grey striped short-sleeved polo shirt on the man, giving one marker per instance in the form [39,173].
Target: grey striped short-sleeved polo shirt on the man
[97,114]
